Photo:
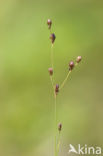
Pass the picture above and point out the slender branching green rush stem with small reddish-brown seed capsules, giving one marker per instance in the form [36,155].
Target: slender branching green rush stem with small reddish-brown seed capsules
[56,87]
